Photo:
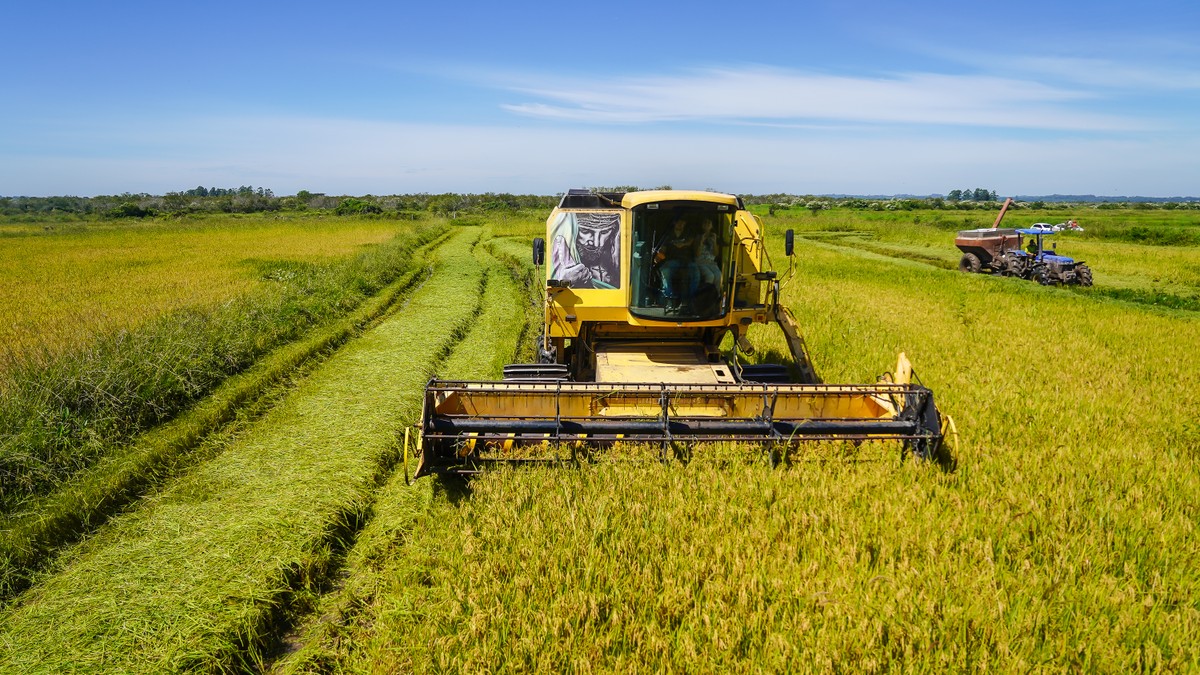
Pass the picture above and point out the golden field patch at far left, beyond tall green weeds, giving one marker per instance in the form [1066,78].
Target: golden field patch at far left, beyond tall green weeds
[59,289]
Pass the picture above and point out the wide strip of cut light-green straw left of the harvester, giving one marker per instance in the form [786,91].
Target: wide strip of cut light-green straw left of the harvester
[199,576]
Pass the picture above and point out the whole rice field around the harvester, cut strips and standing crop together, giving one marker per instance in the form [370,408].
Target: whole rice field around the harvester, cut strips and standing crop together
[1064,542]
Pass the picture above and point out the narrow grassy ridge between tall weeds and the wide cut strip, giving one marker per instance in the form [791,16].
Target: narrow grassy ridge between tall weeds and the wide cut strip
[94,494]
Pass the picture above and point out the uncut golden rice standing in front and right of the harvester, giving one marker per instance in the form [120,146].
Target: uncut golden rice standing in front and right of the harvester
[1066,540]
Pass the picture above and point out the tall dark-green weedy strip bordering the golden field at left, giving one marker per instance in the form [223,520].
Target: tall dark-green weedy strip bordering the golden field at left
[59,417]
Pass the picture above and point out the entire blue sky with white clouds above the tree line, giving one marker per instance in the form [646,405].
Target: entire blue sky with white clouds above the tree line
[752,98]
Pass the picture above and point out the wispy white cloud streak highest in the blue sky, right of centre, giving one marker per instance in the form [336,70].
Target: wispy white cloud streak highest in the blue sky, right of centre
[778,95]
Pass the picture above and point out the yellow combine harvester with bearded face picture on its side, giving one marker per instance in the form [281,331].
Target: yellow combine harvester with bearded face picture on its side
[643,289]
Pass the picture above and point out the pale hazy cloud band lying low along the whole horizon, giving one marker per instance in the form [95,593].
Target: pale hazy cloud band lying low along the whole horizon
[356,158]
